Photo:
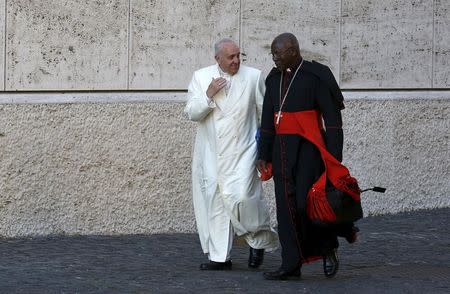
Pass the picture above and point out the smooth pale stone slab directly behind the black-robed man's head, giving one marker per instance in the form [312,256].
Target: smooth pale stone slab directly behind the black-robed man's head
[315,23]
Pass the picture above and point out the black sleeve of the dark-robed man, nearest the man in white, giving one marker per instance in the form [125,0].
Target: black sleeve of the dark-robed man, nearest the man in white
[267,131]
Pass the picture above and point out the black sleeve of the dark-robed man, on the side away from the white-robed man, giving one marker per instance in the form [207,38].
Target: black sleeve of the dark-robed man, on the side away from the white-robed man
[334,137]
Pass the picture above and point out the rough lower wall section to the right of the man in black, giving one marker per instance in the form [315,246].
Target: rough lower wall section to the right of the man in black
[403,145]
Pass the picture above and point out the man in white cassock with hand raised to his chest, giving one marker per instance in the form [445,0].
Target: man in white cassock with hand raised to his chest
[226,100]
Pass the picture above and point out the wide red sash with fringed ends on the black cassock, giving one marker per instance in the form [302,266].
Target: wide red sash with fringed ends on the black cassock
[308,124]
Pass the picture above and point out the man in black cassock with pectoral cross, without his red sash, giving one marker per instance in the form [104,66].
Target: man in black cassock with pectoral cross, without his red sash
[297,85]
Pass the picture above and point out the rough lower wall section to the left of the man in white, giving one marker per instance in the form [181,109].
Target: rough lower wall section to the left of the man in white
[94,169]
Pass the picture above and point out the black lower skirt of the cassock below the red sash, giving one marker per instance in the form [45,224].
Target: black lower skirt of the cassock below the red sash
[297,165]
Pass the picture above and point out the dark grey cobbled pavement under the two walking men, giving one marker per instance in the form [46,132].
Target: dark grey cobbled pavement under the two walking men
[403,253]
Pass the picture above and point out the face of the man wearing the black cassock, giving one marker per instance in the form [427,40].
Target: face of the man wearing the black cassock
[284,54]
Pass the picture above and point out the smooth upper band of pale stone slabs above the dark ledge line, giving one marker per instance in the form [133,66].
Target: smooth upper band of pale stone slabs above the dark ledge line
[139,44]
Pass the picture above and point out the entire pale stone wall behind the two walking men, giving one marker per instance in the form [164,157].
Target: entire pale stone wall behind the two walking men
[92,136]
